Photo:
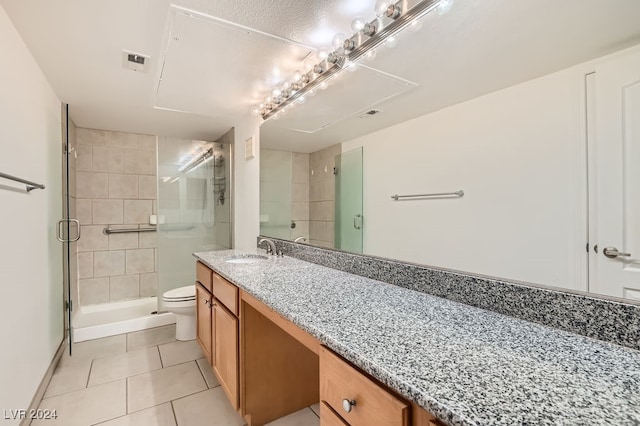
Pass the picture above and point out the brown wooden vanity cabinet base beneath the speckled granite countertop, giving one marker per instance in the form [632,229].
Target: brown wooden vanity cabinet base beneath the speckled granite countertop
[283,368]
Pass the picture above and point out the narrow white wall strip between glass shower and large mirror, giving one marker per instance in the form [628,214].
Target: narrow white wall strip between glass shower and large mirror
[246,185]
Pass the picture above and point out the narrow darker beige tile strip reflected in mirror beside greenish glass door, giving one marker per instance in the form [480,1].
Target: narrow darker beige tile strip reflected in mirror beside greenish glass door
[322,196]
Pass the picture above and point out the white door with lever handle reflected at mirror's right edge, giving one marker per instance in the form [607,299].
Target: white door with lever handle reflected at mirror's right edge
[615,182]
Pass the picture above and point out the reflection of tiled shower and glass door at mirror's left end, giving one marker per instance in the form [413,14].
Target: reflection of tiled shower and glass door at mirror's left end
[315,198]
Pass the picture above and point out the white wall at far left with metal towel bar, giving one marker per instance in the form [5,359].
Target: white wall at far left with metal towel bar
[31,318]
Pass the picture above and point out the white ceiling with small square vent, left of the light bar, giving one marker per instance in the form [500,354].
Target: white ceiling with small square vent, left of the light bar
[78,45]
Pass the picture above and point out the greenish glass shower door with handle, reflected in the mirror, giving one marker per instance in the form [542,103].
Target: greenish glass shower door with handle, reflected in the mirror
[349,221]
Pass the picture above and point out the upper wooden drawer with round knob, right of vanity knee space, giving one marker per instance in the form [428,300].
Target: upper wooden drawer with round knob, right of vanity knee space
[374,405]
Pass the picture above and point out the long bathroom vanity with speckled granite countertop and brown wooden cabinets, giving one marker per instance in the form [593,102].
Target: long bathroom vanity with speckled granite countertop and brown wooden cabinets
[282,334]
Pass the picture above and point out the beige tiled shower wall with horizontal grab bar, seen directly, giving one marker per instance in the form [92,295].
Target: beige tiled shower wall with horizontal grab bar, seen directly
[116,186]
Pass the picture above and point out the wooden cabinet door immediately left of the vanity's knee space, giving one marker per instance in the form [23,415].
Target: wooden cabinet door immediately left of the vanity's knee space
[225,351]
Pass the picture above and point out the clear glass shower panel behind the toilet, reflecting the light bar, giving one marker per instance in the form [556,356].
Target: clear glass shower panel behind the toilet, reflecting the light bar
[193,212]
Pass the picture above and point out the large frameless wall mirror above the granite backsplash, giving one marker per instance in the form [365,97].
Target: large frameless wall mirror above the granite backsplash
[521,118]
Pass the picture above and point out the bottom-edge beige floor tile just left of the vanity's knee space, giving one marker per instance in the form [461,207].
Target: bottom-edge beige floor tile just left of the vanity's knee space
[208,408]
